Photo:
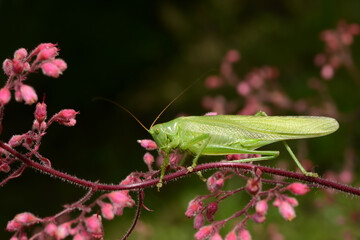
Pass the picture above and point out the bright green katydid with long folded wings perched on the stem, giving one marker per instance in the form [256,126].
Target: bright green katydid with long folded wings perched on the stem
[236,134]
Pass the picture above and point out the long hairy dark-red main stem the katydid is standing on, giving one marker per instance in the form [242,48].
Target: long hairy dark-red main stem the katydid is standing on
[206,166]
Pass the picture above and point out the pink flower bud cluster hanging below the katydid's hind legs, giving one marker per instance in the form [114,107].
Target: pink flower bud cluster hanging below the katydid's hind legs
[203,208]
